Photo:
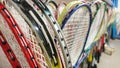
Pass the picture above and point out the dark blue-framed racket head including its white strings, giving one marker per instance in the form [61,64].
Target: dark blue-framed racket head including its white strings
[72,26]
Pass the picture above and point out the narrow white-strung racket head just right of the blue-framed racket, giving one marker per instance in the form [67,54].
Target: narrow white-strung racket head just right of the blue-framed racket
[95,26]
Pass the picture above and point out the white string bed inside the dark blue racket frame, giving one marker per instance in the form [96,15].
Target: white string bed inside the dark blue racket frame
[75,33]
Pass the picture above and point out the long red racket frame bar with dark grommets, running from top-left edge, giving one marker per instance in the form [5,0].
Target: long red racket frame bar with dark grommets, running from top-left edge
[19,36]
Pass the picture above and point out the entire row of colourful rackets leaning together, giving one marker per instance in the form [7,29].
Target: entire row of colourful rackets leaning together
[44,34]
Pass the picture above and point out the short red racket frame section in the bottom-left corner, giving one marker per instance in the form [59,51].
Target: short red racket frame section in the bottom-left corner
[8,52]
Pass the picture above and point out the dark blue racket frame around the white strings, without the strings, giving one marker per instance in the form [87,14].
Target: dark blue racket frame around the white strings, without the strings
[90,21]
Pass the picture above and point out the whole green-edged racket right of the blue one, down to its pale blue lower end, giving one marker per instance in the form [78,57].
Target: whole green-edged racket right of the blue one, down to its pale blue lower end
[93,32]
